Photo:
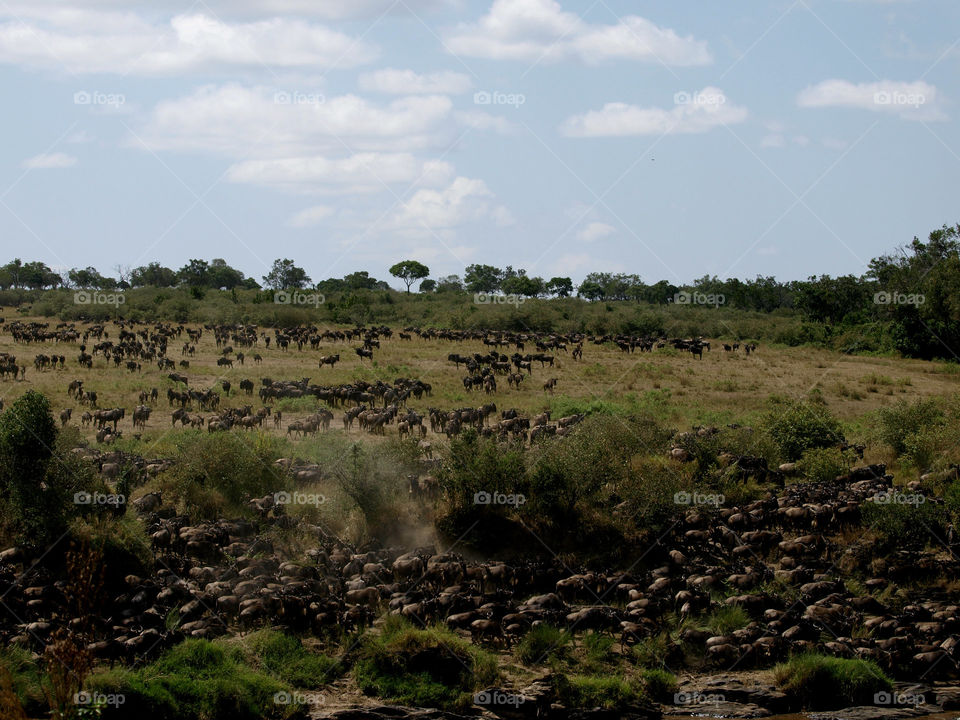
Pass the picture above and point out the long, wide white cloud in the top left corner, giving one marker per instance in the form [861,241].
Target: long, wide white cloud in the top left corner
[93,41]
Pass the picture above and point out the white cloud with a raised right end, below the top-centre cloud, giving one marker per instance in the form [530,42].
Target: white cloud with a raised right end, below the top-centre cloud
[694,114]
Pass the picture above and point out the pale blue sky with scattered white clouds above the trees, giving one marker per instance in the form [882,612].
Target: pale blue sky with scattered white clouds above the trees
[666,139]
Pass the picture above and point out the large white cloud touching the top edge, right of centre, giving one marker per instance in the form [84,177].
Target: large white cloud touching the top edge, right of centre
[540,29]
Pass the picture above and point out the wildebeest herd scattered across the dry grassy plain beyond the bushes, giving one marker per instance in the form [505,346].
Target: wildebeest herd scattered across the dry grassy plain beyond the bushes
[368,406]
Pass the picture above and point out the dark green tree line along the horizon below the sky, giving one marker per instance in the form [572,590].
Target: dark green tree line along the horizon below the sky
[913,292]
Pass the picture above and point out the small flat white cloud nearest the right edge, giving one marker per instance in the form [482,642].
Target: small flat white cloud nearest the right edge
[916,100]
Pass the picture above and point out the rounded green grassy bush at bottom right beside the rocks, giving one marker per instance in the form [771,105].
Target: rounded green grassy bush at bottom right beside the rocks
[819,682]
